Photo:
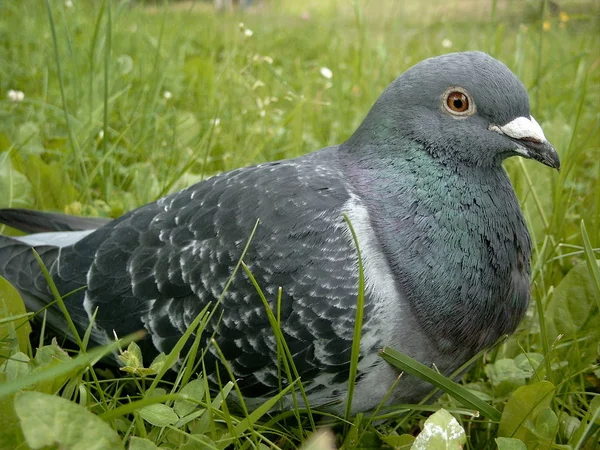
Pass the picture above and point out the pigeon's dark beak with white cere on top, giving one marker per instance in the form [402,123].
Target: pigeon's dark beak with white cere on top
[531,143]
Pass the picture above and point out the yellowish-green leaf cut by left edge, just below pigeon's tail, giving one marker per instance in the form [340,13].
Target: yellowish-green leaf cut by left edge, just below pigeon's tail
[14,333]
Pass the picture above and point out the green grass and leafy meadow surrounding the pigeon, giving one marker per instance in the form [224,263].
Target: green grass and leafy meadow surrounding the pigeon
[97,134]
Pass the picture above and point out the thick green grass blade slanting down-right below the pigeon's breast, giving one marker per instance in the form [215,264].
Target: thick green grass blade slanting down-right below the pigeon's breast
[415,368]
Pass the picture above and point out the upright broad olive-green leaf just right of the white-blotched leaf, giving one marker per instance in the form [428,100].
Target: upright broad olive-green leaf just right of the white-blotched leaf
[523,408]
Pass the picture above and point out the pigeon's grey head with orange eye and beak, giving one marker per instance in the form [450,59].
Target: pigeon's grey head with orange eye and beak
[463,107]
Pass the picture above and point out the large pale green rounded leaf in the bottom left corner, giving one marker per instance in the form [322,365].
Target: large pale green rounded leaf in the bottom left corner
[49,420]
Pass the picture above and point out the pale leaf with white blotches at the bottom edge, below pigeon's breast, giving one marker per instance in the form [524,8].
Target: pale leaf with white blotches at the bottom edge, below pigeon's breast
[440,432]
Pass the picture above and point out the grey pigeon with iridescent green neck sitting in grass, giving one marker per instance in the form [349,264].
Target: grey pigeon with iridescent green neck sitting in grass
[444,245]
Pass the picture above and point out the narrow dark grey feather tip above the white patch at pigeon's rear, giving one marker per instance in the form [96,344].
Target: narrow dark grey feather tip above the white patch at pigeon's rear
[30,221]
